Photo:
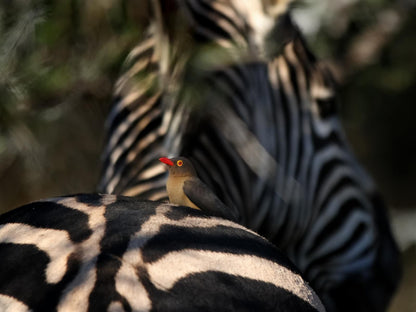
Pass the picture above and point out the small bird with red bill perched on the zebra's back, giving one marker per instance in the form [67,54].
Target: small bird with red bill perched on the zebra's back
[186,189]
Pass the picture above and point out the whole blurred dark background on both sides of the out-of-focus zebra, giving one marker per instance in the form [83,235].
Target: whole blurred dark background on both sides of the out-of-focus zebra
[59,61]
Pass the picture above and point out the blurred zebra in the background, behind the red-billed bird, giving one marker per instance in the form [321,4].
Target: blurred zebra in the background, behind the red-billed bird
[233,86]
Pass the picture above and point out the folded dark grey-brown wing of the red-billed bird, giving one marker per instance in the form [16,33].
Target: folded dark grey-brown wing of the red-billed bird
[204,198]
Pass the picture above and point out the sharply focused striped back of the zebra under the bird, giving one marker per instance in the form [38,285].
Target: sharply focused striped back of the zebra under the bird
[92,252]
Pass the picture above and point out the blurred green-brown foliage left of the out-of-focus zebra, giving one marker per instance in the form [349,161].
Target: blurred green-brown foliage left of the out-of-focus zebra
[58,63]
